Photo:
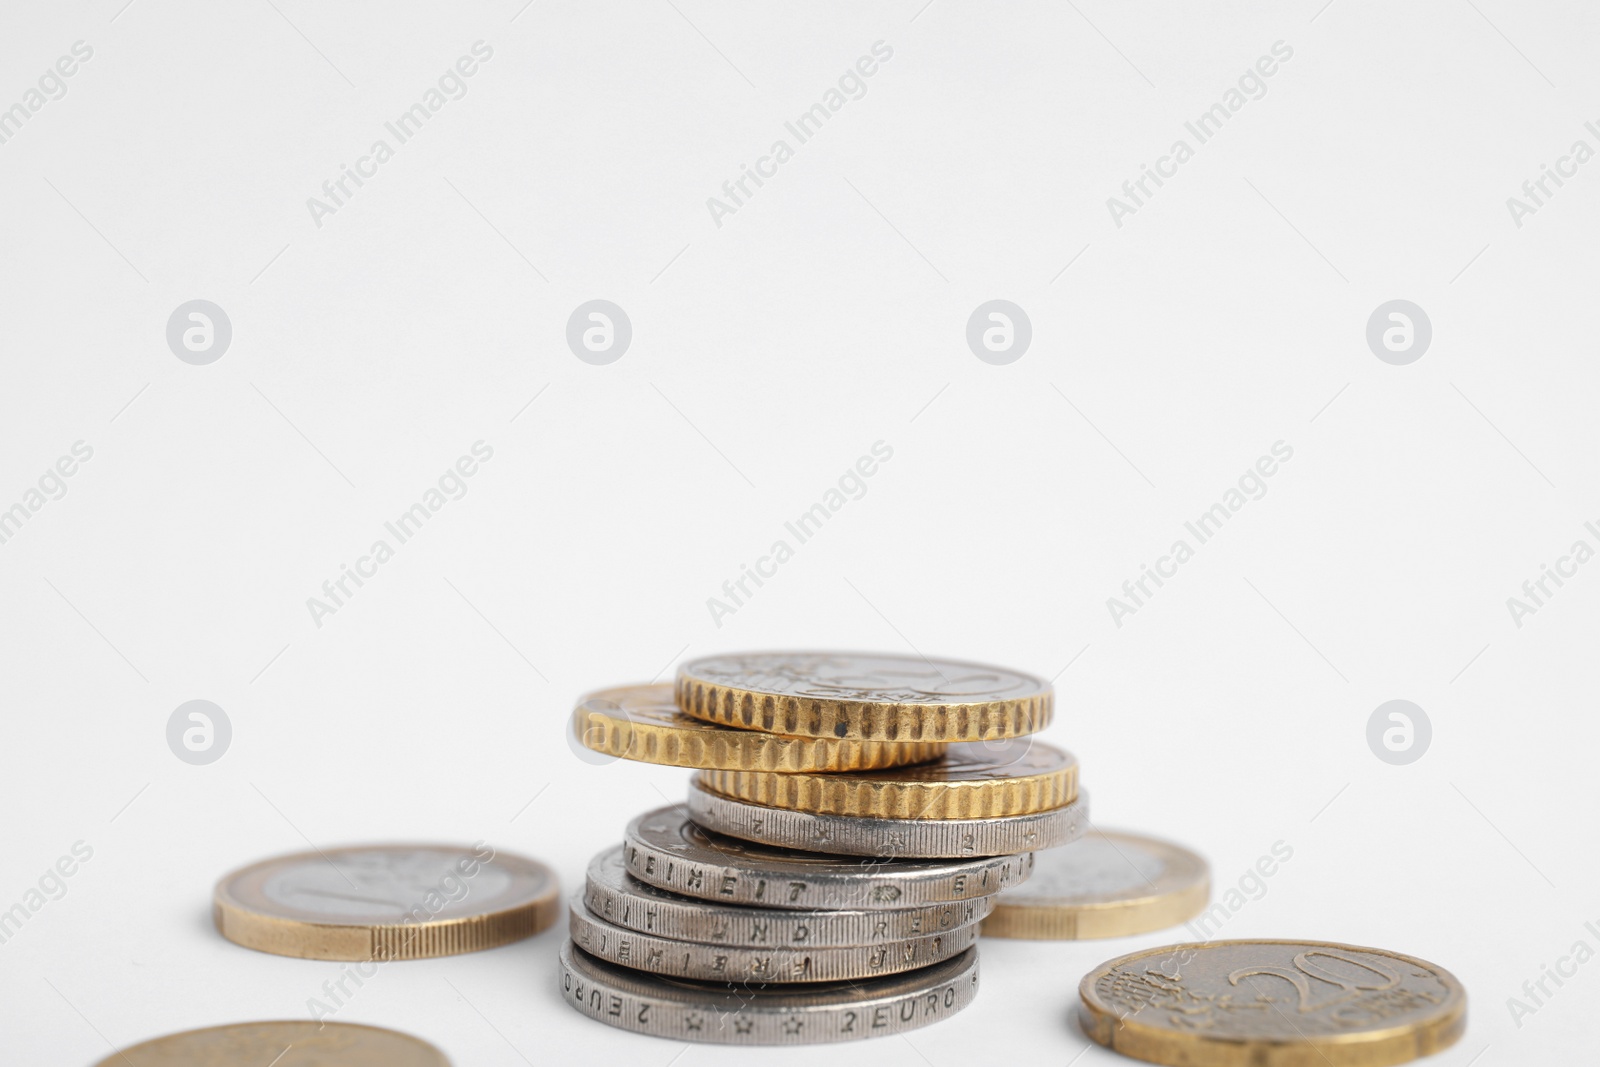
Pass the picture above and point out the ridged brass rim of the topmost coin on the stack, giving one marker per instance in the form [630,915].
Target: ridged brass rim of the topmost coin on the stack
[865,721]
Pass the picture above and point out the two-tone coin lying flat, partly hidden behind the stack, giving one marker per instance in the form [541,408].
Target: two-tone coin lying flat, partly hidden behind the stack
[1106,885]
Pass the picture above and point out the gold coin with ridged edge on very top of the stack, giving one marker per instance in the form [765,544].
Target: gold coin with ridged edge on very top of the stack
[865,697]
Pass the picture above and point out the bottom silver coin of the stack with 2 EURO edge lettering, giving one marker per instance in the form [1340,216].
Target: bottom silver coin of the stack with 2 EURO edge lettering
[742,1013]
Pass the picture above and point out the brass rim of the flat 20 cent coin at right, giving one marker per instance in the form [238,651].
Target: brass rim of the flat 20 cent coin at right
[1383,1047]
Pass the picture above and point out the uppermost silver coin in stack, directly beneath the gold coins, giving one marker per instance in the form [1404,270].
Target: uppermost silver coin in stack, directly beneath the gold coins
[890,839]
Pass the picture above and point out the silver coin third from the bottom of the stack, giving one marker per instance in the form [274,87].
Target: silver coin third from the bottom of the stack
[615,897]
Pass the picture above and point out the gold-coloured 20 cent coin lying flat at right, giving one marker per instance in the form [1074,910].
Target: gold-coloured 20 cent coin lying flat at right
[1273,1004]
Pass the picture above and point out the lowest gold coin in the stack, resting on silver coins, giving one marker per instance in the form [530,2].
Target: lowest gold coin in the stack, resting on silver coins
[974,781]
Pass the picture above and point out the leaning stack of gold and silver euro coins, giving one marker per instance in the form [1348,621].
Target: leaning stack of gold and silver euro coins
[850,826]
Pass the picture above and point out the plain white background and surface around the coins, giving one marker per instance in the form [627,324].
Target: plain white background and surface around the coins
[769,354]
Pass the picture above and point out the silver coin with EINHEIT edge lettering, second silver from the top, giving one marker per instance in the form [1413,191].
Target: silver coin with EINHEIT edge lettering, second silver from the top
[670,852]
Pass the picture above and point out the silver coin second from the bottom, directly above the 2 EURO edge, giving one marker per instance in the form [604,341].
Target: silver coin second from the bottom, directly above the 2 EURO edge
[727,964]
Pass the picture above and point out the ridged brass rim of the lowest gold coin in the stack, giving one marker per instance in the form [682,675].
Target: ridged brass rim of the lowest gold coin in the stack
[879,796]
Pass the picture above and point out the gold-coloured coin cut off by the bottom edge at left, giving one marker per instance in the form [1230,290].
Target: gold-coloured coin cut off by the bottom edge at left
[282,1044]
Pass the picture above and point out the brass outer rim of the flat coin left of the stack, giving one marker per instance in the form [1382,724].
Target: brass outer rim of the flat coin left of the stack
[254,927]
